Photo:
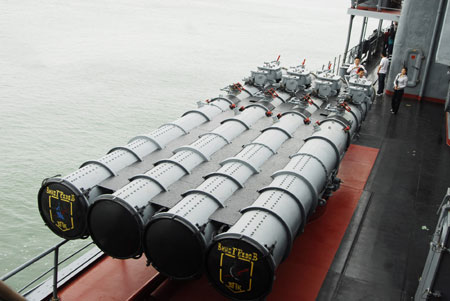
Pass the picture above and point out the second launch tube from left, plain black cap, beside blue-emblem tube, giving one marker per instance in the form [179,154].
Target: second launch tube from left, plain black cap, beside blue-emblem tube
[116,221]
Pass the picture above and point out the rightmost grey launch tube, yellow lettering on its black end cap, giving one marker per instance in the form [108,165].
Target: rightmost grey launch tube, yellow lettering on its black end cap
[241,262]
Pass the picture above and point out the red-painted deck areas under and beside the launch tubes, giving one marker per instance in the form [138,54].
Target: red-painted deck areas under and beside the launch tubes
[298,278]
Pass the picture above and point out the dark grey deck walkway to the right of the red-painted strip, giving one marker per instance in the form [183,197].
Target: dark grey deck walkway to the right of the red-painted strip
[382,254]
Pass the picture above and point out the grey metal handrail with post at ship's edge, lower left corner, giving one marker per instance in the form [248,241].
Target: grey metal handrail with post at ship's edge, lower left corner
[56,264]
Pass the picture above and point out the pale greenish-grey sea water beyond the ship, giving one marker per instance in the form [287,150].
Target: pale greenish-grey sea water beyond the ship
[80,77]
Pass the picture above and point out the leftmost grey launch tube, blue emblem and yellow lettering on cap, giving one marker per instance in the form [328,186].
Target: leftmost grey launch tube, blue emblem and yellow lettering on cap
[63,202]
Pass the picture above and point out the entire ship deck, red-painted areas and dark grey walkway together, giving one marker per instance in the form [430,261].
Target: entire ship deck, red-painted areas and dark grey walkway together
[371,240]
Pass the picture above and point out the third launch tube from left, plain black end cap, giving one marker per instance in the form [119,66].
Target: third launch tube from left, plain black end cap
[175,241]
